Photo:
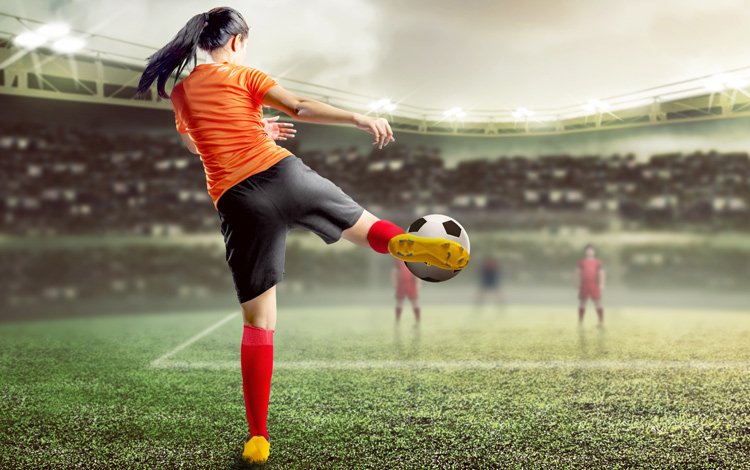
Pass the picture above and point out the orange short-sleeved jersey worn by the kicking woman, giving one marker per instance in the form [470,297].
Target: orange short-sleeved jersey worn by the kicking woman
[220,105]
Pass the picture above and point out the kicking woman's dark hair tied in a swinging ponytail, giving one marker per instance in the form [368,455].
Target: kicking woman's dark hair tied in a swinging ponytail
[207,31]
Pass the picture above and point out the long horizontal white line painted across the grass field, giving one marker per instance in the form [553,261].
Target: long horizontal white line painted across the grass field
[463,365]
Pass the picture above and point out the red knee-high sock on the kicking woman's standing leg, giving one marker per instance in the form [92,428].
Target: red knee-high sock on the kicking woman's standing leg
[256,358]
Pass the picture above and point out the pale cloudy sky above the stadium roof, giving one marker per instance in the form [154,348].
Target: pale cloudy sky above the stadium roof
[476,54]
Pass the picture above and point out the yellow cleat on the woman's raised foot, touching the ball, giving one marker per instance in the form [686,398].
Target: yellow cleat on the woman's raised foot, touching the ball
[440,252]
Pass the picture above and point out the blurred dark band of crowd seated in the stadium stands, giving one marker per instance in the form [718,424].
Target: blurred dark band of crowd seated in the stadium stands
[68,180]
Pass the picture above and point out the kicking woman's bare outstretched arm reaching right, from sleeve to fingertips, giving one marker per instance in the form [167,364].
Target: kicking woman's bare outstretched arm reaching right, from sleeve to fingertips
[309,110]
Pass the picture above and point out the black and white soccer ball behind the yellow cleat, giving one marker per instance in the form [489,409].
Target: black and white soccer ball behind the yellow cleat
[439,226]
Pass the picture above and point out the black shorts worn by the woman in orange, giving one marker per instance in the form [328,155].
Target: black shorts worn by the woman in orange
[257,213]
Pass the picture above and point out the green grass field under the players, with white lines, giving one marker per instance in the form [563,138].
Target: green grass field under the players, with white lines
[520,387]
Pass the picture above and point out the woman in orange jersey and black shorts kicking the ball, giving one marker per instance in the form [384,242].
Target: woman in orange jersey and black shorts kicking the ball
[261,190]
